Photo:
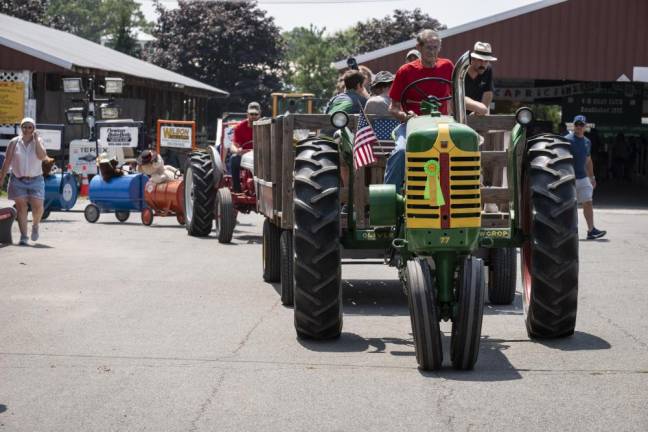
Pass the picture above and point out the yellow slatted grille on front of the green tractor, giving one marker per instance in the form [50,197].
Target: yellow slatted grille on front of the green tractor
[459,180]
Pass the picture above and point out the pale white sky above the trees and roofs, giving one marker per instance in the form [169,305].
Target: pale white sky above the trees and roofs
[340,14]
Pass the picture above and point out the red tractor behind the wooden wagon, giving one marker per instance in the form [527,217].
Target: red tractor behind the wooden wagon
[209,194]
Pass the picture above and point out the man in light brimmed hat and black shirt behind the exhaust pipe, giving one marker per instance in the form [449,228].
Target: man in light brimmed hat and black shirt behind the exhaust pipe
[479,79]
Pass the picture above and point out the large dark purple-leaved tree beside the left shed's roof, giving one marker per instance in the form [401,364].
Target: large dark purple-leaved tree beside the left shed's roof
[231,45]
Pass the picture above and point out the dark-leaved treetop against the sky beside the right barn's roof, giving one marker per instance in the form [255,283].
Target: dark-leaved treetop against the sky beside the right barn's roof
[402,25]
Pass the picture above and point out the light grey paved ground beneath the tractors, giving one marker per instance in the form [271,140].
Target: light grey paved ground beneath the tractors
[122,327]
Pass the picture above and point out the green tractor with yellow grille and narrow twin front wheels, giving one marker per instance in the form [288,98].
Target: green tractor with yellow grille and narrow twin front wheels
[432,231]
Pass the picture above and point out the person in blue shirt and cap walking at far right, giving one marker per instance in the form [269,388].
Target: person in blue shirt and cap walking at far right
[581,148]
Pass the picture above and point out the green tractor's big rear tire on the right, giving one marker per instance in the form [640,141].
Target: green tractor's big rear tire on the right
[550,256]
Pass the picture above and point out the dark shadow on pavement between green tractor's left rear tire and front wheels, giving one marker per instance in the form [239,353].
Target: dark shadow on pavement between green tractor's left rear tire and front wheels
[374,297]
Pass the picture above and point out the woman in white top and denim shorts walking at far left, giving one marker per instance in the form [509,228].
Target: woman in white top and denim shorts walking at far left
[26,184]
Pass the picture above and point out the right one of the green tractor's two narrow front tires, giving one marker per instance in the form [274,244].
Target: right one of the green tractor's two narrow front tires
[466,325]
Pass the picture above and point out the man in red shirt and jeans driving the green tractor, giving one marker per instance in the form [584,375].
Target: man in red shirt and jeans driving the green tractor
[438,72]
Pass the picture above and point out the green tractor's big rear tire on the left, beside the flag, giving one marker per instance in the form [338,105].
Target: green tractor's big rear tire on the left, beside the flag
[317,290]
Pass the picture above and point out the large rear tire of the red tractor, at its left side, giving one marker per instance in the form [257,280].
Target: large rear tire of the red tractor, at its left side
[199,194]
